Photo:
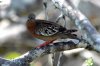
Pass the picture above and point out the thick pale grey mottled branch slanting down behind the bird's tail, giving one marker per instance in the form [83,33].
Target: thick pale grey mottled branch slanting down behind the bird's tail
[82,22]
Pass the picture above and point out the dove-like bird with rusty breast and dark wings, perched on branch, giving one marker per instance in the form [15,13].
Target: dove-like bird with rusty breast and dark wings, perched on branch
[48,30]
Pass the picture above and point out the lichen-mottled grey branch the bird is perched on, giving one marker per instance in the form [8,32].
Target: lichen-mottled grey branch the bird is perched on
[37,52]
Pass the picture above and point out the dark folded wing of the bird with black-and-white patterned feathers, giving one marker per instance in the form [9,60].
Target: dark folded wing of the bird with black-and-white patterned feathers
[46,28]
